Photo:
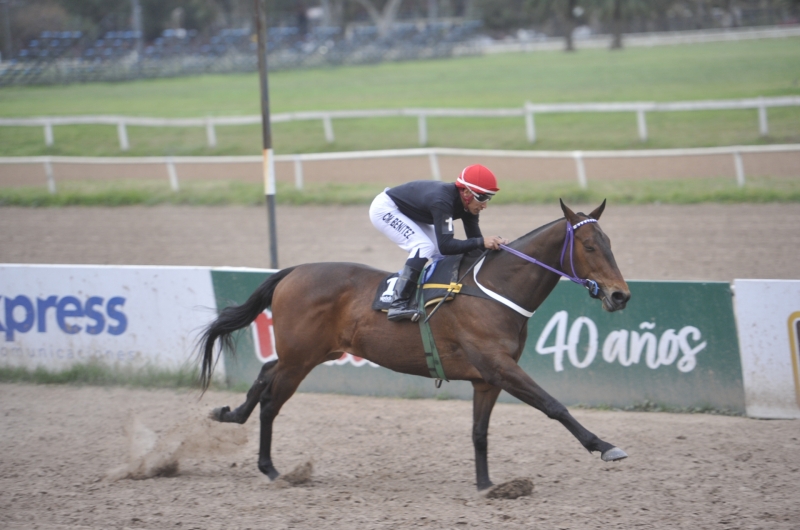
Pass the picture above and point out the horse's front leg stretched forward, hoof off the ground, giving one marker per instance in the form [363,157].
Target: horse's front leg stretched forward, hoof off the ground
[501,370]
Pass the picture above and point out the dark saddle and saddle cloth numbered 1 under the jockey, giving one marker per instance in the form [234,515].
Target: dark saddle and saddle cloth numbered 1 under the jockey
[437,281]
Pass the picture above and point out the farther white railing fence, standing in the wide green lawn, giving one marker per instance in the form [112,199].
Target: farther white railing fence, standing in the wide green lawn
[528,111]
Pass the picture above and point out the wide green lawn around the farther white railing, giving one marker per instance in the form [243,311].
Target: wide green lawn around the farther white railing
[667,73]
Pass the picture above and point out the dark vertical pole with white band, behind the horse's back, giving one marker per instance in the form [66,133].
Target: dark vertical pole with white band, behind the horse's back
[266,130]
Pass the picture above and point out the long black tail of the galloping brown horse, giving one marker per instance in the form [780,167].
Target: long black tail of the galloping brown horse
[232,319]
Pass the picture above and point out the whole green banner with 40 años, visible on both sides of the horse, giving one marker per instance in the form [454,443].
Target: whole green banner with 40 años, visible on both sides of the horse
[675,345]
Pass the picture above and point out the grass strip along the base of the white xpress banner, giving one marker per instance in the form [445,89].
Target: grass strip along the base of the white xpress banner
[100,374]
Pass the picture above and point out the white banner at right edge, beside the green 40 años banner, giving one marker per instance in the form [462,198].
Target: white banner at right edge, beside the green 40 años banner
[768,322]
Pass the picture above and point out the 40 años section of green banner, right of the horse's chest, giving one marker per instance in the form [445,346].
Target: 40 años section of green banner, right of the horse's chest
[674,345]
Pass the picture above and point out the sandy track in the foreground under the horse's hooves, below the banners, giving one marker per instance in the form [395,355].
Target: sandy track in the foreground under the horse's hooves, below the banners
[379,463]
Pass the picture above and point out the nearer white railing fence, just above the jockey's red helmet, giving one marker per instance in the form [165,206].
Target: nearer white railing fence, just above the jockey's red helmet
[171,163]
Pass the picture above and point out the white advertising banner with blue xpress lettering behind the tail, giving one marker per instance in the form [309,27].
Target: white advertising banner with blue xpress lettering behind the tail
[57,315]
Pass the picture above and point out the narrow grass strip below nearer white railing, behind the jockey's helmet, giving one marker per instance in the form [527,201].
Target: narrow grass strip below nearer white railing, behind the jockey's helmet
[683,191]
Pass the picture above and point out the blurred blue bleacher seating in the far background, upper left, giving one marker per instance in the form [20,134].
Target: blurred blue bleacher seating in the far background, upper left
[229,49]
